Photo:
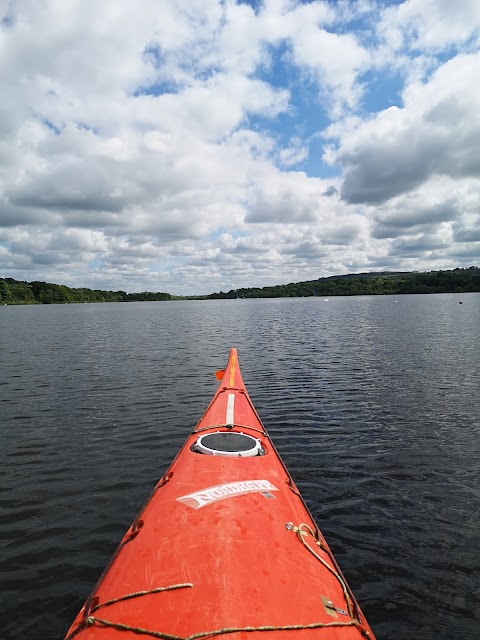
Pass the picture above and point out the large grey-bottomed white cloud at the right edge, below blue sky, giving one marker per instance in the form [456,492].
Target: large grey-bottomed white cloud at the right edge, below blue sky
[436,132]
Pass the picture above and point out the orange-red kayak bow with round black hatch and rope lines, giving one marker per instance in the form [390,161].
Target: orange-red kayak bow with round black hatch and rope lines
[225,546]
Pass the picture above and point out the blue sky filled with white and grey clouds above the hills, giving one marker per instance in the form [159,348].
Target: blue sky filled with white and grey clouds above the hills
[194,146]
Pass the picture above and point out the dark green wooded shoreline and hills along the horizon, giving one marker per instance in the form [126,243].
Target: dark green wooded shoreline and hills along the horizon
[353,284]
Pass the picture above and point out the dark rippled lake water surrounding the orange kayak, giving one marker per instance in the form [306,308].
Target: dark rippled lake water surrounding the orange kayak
[373,403]
